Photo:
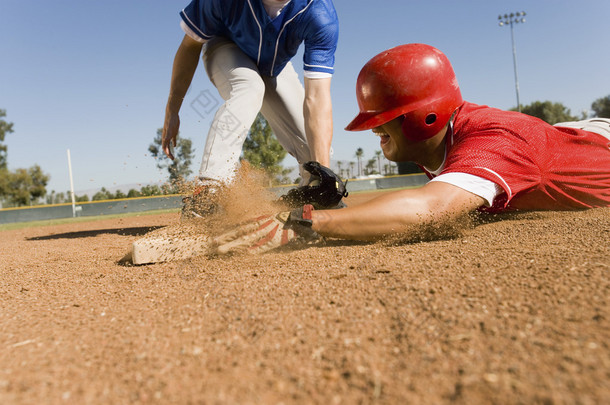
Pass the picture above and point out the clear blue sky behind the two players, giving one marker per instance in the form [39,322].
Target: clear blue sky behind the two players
[93,76]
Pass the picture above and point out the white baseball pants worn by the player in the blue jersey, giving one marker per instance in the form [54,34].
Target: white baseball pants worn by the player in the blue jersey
[280,100]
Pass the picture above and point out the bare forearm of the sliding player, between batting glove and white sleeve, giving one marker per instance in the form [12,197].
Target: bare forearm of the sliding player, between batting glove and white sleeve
[398,212]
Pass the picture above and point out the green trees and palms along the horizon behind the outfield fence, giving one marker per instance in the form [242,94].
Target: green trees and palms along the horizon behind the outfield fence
[27,186]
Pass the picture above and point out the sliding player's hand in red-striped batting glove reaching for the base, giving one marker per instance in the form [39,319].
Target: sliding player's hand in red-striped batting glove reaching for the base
[268,232]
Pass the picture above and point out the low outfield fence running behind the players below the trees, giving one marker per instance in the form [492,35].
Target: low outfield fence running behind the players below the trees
[141,204]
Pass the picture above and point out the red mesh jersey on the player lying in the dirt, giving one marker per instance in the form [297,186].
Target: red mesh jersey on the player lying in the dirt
[539,166]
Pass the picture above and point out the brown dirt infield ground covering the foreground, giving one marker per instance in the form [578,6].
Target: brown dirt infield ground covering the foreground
[512,311]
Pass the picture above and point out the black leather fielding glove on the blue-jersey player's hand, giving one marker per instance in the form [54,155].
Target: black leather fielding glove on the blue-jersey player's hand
[325,190]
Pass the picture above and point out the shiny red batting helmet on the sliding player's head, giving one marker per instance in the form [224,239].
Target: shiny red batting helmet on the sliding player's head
[413,80]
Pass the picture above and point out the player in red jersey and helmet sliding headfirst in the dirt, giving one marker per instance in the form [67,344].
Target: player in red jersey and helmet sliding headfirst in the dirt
[477,157]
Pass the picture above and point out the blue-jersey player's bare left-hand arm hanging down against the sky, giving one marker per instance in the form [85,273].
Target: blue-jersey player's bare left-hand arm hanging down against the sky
[185,64]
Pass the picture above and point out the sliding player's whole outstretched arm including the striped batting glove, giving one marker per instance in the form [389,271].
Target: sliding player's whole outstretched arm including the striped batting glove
[395,213]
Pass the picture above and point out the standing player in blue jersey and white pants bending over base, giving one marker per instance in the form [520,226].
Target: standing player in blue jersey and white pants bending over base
[246,47]
